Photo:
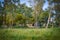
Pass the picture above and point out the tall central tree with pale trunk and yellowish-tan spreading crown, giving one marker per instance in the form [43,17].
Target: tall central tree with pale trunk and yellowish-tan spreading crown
[37,6]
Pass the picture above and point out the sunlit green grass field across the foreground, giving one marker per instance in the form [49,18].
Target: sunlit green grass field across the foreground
[30,34]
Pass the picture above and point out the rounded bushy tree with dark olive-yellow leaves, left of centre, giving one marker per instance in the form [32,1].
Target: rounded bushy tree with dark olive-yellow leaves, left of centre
[21,19]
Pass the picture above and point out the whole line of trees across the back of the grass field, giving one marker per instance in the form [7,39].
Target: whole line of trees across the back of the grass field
[13,13]
